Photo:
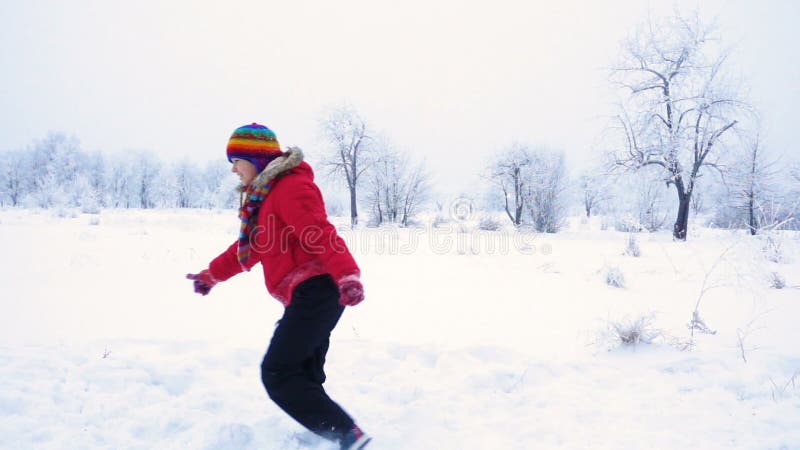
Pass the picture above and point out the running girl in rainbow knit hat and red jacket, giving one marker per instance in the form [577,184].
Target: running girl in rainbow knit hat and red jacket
[307,267]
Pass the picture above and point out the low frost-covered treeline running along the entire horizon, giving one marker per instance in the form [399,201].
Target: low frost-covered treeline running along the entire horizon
[530,185]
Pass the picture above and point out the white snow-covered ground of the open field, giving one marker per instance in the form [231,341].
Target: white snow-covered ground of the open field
[459,345]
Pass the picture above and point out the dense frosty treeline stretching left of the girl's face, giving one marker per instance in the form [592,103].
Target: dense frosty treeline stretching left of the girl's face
[55,172]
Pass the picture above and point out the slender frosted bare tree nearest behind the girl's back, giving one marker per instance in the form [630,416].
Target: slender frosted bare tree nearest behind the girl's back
[347,134]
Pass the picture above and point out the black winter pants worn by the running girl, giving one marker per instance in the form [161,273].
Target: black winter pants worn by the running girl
[293,368]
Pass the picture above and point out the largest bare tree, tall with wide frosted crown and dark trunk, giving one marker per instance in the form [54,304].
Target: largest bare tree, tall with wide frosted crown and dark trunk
[678,106]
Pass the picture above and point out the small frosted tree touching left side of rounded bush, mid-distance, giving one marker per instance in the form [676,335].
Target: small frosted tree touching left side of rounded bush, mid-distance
[509,173]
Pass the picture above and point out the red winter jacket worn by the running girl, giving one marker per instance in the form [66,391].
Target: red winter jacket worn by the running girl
[294,239]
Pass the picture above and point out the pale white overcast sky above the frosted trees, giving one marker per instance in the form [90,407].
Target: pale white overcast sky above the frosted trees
[449,81]
